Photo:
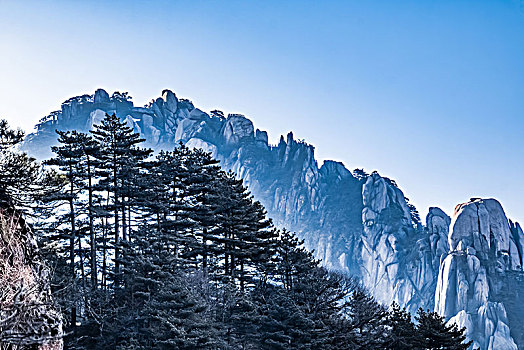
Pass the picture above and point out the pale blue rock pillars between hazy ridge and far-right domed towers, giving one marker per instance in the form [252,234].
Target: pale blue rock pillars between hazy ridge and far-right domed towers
[399,261]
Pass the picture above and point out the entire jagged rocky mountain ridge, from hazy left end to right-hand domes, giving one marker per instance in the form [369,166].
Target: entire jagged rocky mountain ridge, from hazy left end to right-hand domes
[468,268]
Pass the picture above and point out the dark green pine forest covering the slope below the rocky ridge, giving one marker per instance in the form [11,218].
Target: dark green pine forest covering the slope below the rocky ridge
[168,251]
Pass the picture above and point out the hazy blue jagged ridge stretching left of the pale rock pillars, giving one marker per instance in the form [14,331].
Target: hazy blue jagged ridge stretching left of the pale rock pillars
[322,204]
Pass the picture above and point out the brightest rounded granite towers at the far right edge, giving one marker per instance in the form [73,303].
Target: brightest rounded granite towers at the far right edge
[474,278]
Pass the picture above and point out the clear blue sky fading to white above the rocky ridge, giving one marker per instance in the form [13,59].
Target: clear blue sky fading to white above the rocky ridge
[429,93]
